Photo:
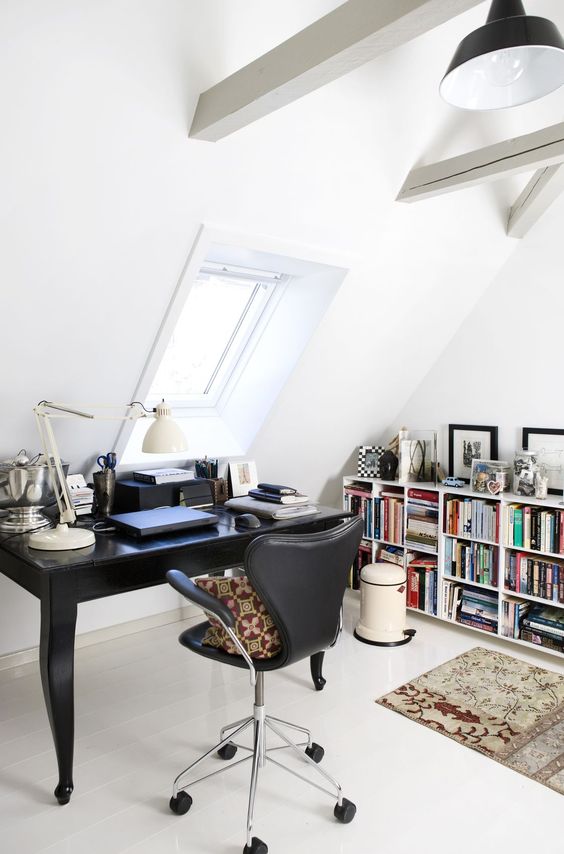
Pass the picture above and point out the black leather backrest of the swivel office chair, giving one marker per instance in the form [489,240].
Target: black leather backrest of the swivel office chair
[301,579]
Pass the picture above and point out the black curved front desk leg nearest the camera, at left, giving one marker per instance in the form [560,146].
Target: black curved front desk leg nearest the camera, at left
[56,660]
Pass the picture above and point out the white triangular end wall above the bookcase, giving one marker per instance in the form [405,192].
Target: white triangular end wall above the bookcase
[504,364]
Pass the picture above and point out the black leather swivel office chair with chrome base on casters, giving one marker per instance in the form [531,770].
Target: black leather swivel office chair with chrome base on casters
[301,580]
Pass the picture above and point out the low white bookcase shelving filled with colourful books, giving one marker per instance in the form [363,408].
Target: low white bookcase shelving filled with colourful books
[497,542]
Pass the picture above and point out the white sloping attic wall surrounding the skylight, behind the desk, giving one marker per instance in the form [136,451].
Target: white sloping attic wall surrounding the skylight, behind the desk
[103,193]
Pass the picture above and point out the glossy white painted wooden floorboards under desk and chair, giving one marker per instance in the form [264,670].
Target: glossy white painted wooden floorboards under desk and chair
[146,707]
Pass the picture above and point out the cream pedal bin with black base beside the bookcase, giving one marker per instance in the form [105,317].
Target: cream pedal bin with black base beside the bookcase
[383,605]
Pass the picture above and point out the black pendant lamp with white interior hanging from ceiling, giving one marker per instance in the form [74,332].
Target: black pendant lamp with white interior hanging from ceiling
[514,58]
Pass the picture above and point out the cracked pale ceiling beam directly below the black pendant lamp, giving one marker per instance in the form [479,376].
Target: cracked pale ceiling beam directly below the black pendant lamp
[523,154]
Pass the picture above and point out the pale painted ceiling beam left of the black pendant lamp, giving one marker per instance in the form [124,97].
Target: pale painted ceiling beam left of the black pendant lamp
[349,36]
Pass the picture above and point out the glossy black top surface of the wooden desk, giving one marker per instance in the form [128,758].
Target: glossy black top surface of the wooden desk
[119,547]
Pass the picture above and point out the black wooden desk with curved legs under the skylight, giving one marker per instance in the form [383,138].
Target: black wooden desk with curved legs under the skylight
[118,564]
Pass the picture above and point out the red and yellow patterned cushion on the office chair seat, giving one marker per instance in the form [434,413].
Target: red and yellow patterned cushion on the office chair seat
[253,627]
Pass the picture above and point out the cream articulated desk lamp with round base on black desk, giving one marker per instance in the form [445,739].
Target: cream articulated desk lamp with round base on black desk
[164,436]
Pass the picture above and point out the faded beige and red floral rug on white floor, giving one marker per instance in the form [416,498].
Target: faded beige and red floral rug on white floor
[511,711]
